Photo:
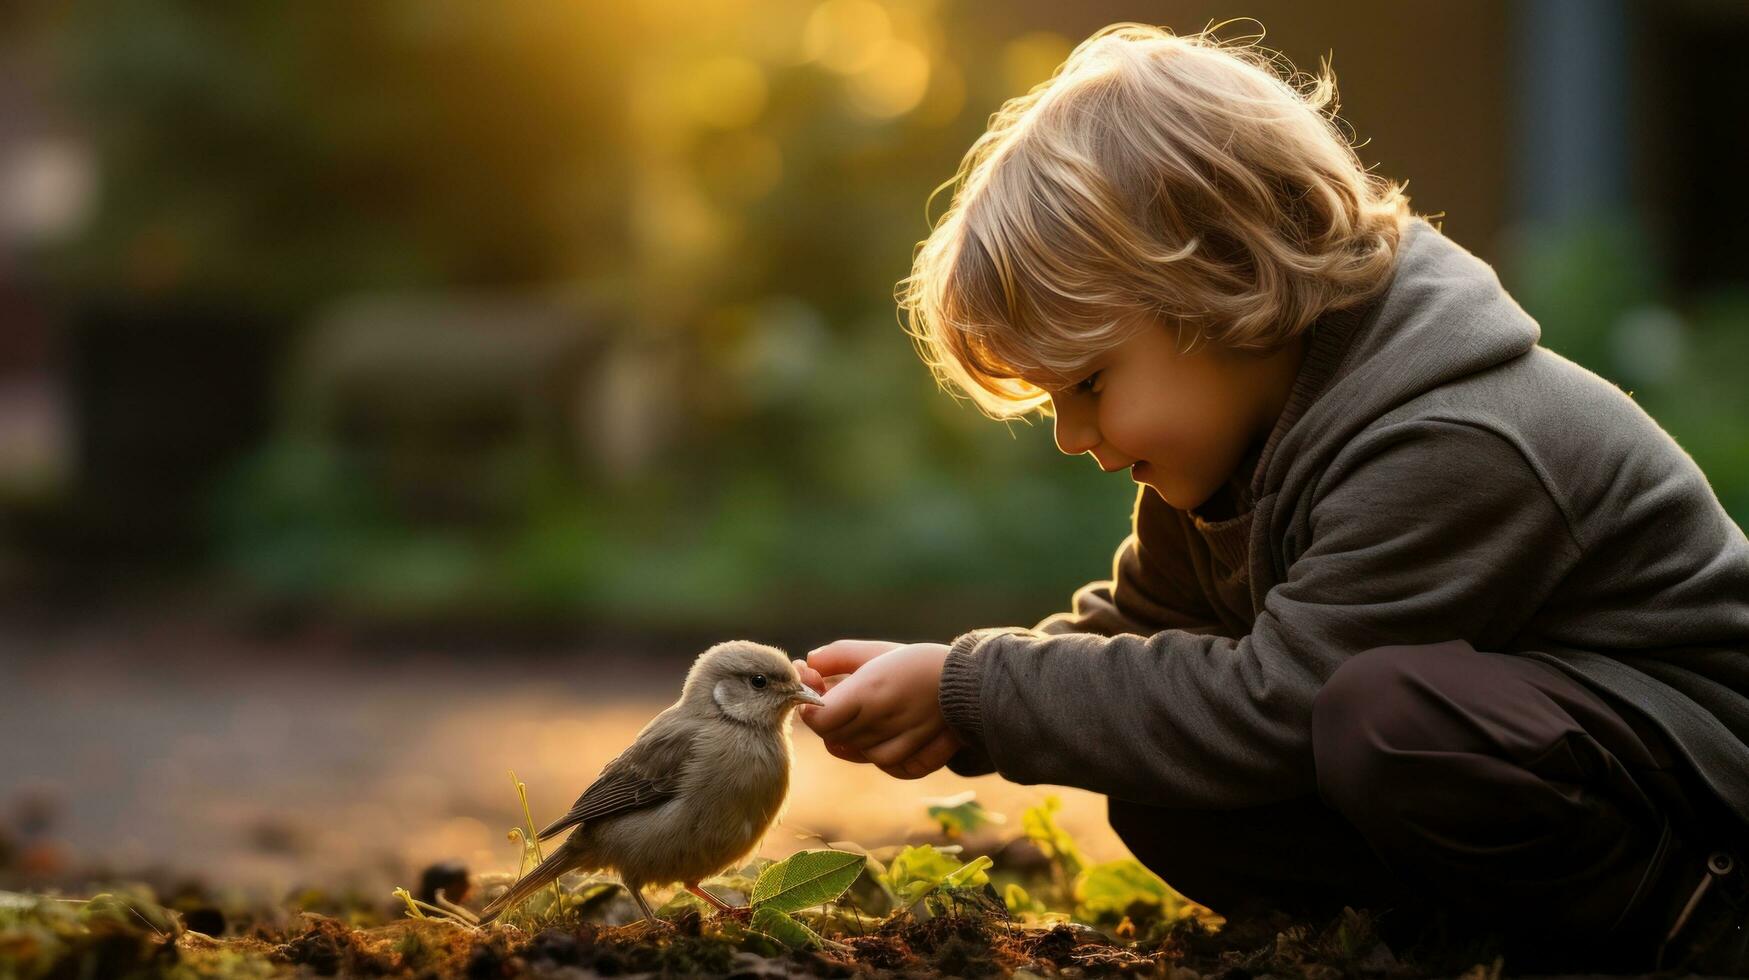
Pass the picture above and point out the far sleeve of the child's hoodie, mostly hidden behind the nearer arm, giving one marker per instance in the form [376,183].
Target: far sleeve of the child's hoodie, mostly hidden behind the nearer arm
[1148,591]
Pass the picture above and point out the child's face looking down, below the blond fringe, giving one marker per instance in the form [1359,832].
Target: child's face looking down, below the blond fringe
[1185,419]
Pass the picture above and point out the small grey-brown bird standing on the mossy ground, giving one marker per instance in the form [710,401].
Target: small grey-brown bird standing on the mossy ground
[697,788]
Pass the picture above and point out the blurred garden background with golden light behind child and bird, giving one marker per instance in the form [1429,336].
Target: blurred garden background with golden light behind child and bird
[394,395]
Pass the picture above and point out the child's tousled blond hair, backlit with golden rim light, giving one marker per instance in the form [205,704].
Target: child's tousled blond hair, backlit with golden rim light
[1152,179]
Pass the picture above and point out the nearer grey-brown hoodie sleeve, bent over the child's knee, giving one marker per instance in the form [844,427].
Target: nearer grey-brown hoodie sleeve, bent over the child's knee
[1426,531]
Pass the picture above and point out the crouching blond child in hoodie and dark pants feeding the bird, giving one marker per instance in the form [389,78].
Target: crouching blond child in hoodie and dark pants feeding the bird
[1414,610]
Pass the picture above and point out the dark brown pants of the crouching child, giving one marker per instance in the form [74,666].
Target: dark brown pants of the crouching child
[1493,787]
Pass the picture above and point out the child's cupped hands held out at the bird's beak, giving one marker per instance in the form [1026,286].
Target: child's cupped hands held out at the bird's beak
[886,711]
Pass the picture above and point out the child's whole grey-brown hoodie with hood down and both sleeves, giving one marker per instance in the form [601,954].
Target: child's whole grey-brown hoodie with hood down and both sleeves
[1435,475]
